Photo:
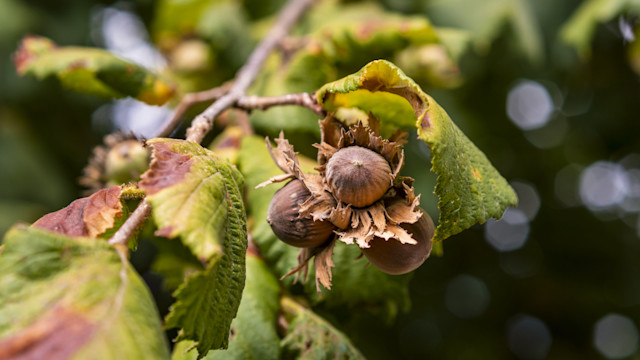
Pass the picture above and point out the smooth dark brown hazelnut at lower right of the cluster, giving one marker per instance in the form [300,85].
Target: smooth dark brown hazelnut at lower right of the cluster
[394,257]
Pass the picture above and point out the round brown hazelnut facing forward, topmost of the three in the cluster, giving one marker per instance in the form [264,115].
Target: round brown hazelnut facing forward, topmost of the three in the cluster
[358,176]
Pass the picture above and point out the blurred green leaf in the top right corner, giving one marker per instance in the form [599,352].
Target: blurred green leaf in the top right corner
[580,28]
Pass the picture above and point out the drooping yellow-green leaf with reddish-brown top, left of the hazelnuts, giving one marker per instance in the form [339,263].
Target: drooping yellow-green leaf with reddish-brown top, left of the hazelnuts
[197,197]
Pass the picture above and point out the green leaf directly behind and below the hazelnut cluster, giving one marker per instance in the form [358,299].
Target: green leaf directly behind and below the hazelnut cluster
[391,291]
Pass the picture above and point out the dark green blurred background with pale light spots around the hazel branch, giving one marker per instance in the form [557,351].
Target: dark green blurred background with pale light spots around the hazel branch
[556,278]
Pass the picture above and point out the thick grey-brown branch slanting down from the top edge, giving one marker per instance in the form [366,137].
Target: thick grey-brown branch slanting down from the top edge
[289,15]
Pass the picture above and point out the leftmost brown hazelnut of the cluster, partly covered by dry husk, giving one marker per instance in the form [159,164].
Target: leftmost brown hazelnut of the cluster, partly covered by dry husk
[283,216]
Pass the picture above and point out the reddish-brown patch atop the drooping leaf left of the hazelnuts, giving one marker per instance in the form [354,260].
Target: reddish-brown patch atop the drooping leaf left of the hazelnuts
[167,168]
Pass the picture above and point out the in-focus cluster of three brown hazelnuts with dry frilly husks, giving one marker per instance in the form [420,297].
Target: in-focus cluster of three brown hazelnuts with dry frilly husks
[357,196]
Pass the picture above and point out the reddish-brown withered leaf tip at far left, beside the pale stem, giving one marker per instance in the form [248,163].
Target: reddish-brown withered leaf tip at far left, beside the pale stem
[89,216]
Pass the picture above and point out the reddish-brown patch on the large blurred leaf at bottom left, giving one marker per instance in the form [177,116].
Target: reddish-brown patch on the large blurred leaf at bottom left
[56,335]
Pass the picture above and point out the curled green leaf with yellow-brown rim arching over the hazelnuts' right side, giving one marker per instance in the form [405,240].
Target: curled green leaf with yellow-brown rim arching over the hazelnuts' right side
[469,188]
